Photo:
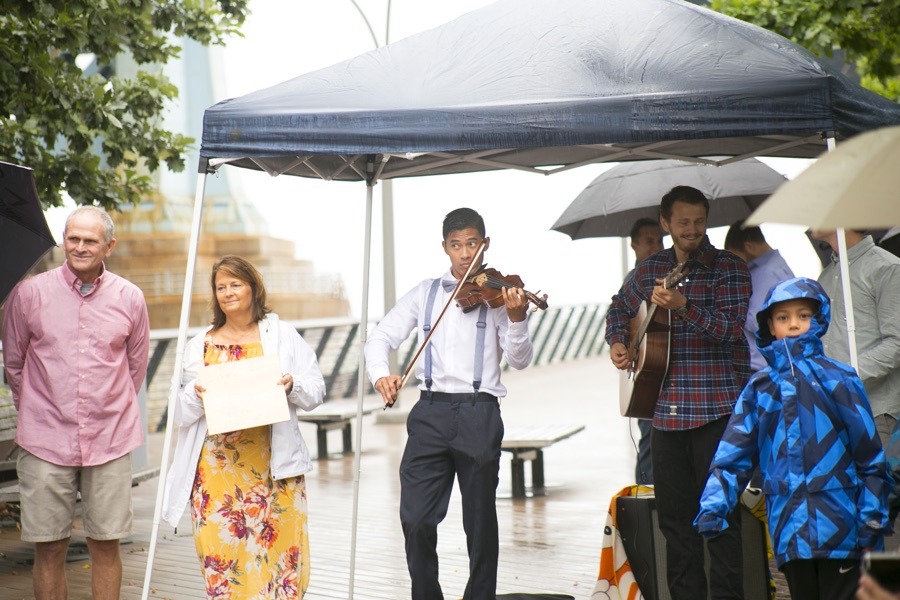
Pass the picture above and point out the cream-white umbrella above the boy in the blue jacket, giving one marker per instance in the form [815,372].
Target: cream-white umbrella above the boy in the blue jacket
[857,186]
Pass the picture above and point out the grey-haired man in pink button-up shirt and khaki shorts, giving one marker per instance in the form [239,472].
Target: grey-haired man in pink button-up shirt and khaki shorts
[75,346]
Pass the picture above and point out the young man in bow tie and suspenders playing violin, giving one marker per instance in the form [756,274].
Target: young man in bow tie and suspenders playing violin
[455,428]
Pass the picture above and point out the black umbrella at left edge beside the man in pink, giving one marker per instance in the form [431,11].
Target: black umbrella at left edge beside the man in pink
[24,234]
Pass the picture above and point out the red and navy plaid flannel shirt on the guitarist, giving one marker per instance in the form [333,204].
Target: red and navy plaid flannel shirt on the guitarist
[709,357]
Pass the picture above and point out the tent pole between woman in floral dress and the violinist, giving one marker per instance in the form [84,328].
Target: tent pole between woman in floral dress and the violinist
[361,386]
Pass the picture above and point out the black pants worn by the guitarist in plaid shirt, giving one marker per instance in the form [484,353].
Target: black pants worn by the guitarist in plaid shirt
[681,462]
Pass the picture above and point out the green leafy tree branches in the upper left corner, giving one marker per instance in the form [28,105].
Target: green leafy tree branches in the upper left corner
[62,116]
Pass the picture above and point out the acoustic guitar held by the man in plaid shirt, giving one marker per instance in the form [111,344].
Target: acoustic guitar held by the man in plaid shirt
[648,352]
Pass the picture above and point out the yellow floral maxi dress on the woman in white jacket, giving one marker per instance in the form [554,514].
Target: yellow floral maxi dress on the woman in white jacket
[250,531]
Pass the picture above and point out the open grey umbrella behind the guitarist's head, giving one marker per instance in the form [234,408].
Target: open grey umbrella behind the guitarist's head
[617,198]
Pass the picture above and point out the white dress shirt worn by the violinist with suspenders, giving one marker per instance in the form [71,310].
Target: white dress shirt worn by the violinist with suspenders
[453,343]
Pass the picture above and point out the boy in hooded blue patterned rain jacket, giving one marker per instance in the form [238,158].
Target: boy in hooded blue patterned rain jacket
[806,421]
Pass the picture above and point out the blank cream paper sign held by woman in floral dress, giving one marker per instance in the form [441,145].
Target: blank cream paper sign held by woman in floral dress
[243,394]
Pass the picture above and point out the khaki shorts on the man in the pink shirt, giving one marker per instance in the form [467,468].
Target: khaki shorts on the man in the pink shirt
[48,494]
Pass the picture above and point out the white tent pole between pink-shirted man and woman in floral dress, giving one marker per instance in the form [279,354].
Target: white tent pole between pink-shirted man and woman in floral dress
[176,375]
